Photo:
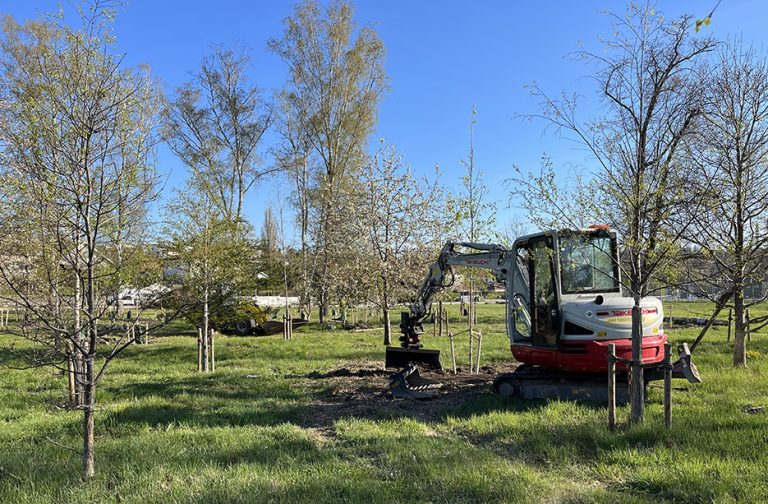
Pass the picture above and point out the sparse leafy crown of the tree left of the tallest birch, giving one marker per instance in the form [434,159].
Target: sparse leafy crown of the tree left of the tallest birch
[215,123]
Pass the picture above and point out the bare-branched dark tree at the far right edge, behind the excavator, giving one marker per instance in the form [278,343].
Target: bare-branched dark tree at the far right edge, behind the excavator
[730,160]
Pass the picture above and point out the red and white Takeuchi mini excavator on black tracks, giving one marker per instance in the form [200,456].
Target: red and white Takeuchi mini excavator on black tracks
[564,306]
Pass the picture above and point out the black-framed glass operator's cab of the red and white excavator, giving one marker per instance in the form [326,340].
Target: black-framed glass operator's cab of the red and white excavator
[558,277]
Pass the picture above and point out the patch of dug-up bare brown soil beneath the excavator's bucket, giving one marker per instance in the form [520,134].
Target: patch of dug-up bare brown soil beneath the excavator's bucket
[360,390]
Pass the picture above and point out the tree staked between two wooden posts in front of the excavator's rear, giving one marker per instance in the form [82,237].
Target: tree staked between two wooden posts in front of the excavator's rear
[653,103]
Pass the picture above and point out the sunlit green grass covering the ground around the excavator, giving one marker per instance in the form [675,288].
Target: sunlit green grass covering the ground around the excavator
[274,424]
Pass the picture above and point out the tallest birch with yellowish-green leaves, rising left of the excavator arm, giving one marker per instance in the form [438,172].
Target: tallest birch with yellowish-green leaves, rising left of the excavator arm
[336,81]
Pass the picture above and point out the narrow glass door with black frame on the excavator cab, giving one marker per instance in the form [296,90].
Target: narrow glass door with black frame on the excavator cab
[545,313]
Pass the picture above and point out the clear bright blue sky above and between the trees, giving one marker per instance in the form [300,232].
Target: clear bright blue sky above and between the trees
[443,58]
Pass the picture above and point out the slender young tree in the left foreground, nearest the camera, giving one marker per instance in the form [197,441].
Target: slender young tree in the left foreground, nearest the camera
[77,169]
